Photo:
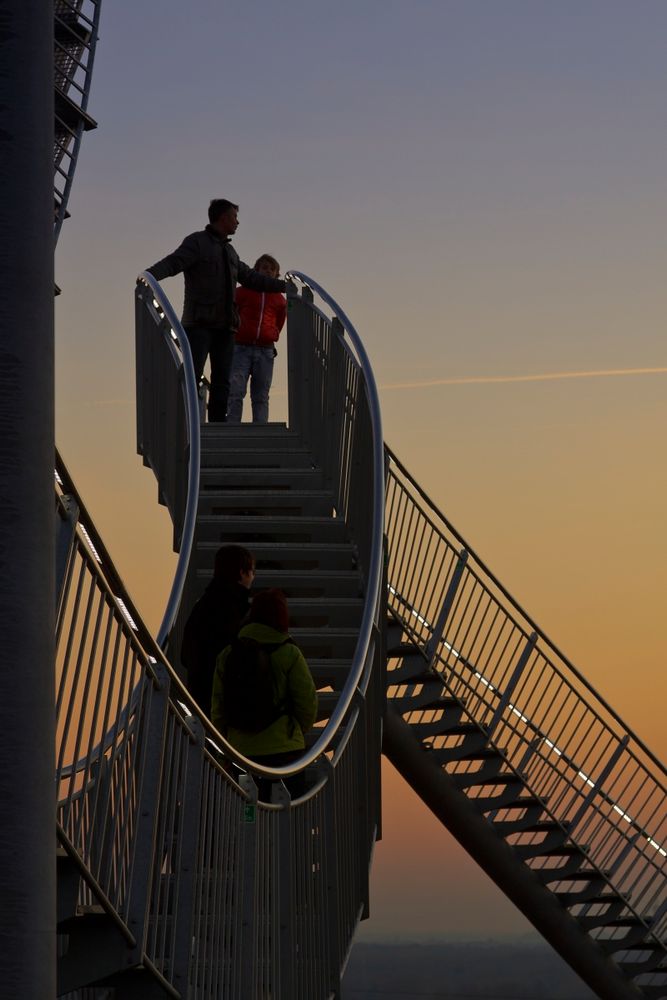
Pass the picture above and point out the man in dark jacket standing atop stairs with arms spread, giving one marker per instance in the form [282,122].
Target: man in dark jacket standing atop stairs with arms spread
[212,269]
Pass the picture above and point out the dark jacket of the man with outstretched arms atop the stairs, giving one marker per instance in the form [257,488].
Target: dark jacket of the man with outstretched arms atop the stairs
[211,269]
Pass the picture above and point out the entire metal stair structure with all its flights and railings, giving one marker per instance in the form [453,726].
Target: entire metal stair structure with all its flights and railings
[174,880]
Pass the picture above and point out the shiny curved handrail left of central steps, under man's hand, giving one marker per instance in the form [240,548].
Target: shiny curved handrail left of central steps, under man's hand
[192,414]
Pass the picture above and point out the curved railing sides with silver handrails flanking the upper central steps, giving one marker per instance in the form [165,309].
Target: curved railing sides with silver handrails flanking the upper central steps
[167,438]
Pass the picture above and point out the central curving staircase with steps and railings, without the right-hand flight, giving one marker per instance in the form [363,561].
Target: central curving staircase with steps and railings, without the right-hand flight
[173,879]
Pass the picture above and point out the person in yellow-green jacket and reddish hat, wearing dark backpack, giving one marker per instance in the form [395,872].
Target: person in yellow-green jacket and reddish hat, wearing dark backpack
[294,695]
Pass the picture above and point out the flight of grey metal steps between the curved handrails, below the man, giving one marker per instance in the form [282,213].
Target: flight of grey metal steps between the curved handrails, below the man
[259,487]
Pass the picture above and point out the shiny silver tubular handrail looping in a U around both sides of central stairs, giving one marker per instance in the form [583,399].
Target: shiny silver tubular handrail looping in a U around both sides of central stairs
[358,677]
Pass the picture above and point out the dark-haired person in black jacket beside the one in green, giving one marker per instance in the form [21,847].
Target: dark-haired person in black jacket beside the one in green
[215,619]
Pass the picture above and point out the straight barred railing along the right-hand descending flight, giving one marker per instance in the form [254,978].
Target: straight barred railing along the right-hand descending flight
[571,750]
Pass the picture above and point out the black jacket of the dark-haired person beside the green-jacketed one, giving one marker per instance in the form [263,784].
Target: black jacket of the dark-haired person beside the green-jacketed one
[213,623]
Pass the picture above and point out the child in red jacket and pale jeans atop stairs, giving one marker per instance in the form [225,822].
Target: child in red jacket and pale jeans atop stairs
[262,317]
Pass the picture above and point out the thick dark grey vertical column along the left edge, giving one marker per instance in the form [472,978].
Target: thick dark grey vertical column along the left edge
[27,835]
